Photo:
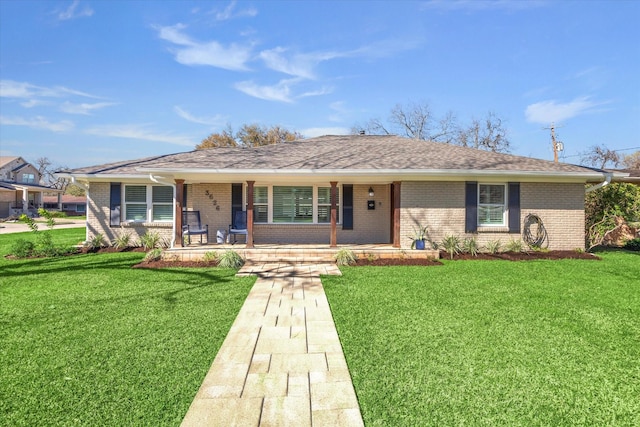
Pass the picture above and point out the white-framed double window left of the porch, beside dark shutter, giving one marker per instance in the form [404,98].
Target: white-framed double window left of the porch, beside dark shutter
[148,203]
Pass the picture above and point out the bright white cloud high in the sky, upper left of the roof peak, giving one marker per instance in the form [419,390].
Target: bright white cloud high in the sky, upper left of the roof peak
[191,52]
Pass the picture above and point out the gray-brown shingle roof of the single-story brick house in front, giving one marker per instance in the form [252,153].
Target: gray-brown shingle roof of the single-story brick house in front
[341,155]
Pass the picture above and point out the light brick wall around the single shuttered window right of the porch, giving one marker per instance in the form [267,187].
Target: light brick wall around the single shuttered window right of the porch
[441,206]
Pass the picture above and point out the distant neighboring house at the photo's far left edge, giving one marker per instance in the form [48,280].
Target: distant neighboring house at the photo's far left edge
[20,189]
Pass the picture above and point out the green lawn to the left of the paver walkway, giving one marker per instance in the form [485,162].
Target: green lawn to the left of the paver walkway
[87,340]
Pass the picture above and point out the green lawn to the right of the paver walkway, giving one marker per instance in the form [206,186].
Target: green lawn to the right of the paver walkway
[551,343]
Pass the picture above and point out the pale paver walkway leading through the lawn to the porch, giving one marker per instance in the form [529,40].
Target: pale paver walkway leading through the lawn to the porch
[281,363]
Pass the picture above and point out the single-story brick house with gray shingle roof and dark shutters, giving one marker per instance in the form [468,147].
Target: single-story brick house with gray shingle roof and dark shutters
[384,186]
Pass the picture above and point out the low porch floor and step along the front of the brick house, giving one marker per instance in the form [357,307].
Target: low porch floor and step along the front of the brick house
[296,253]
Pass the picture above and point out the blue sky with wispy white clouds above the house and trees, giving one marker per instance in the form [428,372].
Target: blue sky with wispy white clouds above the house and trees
[89,82]
